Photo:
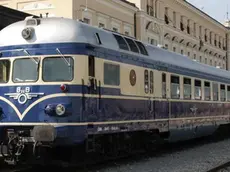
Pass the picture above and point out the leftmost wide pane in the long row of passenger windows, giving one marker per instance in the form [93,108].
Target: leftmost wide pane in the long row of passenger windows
[175,87]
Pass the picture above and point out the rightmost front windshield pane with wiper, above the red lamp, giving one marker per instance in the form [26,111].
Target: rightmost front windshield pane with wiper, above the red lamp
[58,69]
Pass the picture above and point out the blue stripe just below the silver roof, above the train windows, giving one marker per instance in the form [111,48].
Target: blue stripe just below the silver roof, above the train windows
[86,49]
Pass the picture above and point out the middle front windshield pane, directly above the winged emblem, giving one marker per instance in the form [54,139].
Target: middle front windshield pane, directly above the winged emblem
[25,70]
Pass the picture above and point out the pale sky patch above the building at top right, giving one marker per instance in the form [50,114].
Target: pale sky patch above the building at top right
[215,8]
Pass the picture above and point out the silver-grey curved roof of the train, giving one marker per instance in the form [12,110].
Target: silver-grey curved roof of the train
[62,30]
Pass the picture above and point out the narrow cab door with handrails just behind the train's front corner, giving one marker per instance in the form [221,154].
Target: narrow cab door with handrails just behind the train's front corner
[93,90]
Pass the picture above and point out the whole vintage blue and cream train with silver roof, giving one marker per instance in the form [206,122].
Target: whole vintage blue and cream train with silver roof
[66,84]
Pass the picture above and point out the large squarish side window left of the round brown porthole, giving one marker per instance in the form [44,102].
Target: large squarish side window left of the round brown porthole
[111,74]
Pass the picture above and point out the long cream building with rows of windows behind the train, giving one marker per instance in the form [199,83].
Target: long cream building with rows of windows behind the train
[175,24]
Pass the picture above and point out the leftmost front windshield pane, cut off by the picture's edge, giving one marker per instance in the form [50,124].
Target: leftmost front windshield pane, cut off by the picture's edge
[4,71]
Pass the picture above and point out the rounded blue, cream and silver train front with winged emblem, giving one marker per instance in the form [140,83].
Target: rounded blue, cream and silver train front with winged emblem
[40,96]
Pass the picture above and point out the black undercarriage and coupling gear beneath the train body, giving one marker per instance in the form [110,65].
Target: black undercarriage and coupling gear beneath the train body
[18,147]
